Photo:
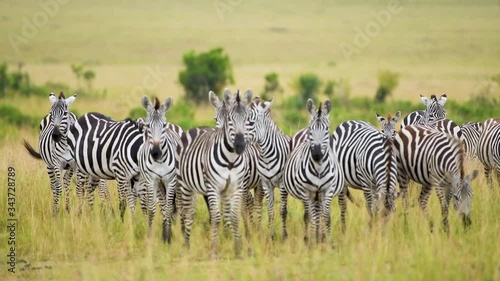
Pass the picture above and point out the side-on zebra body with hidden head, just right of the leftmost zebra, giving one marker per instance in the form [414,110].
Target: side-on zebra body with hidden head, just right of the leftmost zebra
[107,149]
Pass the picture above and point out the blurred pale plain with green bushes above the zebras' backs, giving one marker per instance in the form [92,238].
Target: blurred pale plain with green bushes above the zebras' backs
[286,51]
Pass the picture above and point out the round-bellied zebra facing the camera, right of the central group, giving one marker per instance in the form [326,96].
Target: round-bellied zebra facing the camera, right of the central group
[312,173]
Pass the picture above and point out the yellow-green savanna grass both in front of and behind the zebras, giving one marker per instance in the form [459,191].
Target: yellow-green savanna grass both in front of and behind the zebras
[436,46]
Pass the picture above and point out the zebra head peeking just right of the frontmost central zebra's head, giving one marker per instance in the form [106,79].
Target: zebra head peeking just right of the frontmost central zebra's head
[259,118]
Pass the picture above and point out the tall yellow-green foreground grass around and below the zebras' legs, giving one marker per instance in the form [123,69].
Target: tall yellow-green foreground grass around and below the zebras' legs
[96,246]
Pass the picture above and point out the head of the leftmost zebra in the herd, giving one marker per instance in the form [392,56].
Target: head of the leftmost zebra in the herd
[59,115]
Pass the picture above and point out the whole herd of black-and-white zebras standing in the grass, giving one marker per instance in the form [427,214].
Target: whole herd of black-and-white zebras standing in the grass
[157,162]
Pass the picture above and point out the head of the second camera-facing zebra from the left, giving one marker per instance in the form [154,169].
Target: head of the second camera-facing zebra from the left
[154,126]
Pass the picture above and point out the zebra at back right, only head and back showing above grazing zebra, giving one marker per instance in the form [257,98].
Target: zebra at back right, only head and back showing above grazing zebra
[434,111]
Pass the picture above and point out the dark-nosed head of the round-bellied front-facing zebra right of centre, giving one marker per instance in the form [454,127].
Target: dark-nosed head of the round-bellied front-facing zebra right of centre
[319,128]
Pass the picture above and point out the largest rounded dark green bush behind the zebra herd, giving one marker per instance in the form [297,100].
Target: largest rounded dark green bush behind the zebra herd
[204,72]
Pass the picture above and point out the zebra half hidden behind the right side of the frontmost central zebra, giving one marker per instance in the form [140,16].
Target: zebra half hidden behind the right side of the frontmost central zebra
[273,150]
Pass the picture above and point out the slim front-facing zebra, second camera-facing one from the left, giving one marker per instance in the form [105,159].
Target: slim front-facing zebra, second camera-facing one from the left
[157,162]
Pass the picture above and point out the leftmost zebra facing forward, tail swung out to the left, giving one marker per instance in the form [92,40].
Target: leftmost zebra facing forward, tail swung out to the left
[53,146]
